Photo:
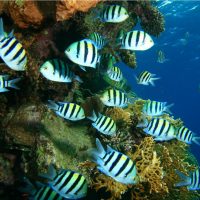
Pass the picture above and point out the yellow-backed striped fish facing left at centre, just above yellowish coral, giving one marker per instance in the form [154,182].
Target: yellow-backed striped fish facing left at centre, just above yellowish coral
[114,97]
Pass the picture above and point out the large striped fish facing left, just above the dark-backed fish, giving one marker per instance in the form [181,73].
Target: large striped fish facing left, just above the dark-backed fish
[83,53]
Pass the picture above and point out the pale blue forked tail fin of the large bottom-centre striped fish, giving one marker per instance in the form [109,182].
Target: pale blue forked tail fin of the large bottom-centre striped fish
[97,153]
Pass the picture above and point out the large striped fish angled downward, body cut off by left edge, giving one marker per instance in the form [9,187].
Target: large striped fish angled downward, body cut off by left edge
[11,51]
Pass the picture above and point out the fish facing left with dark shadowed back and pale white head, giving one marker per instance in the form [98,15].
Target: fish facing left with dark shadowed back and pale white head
[58,70]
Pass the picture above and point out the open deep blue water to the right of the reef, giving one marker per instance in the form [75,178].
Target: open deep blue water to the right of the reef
[180,75]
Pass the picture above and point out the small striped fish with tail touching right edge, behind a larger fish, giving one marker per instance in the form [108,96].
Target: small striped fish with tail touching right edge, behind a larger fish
[187,136]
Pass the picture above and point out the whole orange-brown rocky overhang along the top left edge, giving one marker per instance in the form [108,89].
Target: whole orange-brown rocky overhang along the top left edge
[28,13]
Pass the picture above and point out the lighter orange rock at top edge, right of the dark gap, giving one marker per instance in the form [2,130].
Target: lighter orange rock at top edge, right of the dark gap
[67,8]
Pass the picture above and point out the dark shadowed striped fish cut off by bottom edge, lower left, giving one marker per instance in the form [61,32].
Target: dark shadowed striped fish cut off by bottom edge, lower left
[40,191]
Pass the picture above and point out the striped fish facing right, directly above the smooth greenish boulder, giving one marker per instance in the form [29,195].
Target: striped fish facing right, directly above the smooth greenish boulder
[70,111]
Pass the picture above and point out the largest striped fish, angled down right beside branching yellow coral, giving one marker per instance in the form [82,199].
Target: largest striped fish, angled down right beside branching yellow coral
[114,164]
